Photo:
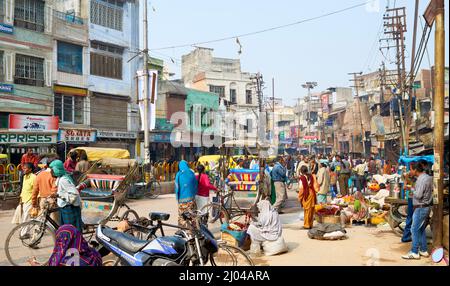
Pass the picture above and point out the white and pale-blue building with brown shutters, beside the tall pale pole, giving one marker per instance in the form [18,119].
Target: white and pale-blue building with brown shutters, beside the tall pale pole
[113,41]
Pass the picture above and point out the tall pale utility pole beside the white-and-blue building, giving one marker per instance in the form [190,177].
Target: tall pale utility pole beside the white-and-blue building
[146,95]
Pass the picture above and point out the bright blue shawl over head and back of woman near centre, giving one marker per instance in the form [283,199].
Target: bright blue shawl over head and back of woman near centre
[186,185]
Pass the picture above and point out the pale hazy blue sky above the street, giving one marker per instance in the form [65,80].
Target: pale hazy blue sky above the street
[323,50]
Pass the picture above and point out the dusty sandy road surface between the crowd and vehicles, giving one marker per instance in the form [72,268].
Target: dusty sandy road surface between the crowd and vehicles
[364,246]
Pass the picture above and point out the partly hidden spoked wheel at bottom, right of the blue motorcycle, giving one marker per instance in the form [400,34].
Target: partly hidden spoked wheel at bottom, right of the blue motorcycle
[229,255]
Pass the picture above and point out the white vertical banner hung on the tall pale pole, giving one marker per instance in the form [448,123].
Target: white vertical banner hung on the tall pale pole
[152,93]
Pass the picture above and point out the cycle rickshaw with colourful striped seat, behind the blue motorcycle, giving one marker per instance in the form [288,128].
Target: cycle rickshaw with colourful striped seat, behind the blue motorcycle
[103,191]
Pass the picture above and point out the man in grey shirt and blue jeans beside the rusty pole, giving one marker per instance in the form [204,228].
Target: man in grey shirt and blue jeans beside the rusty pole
[422,203]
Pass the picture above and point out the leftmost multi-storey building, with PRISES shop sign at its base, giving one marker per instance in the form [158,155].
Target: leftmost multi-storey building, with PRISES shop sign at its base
[26,76]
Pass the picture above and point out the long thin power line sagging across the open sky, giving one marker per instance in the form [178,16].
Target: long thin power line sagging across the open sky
[265,30]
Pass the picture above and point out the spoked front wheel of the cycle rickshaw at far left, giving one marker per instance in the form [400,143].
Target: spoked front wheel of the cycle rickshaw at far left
[28,240]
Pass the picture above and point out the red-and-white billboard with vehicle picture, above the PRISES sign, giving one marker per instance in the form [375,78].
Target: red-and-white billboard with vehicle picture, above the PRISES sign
[33,123]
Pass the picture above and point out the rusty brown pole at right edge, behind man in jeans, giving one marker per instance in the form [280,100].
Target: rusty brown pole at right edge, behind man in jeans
[438,105]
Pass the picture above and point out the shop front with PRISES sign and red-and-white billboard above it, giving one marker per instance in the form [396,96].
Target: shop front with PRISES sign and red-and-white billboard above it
[29,131]
